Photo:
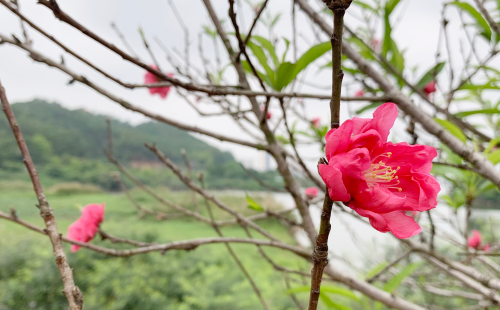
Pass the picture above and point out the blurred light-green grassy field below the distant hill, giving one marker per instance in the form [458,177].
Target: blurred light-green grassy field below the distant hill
[205,278]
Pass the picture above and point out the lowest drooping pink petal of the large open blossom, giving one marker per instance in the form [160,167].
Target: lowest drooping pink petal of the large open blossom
[399,224]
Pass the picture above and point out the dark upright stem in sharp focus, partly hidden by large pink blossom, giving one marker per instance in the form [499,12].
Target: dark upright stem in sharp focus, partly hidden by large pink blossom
[320,254]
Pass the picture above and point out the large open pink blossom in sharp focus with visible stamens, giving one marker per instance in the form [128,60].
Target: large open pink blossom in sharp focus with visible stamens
[379,179]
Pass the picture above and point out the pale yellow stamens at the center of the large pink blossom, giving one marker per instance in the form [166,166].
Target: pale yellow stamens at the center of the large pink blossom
[380,173]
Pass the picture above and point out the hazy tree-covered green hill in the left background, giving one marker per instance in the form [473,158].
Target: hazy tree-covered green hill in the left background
[68,146]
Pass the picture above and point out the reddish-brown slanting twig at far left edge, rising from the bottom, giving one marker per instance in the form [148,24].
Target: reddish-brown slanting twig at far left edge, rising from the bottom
[72,292]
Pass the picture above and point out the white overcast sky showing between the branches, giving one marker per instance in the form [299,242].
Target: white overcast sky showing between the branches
[417,33]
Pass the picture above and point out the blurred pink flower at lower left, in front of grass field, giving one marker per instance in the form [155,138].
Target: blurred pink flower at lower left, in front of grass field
[85,228]
